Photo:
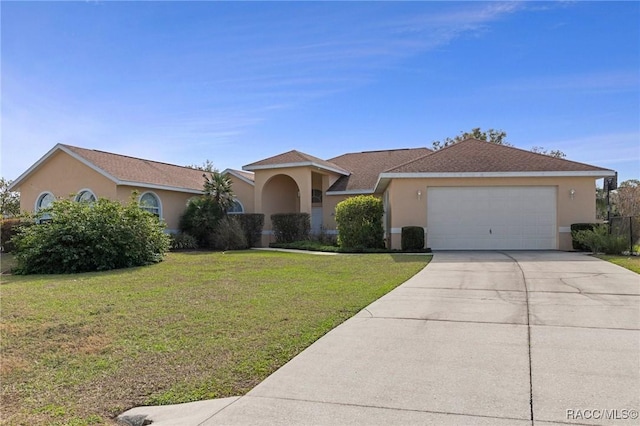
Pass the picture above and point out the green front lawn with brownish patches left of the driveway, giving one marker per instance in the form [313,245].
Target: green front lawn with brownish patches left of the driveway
[81,349]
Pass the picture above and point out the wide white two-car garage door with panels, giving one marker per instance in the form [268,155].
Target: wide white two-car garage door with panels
[491,218]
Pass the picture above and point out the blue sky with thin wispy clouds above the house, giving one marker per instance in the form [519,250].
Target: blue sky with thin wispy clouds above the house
[183,82]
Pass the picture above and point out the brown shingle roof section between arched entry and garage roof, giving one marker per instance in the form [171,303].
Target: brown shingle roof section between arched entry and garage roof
[365,167]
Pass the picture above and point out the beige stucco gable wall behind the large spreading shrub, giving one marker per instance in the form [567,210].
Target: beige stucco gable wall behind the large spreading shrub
[63,175]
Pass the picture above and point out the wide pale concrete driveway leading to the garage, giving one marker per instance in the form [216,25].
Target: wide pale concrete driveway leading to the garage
[476,338]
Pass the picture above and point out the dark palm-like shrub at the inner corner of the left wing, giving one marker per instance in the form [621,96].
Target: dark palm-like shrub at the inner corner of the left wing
[200,219]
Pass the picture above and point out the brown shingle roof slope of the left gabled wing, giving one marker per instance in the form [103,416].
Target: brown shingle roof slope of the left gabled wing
[131,169]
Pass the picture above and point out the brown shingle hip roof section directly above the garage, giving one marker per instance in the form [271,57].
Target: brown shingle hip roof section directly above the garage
[472,155]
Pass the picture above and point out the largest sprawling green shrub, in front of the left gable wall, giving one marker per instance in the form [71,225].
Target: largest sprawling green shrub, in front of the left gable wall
[82,237]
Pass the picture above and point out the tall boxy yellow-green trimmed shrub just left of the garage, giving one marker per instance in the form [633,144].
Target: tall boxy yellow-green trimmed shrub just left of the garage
[359,222]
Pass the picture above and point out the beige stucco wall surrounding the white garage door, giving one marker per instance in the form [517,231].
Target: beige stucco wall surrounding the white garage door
[410,208]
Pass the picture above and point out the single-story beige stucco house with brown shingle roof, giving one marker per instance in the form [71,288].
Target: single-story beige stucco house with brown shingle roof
[470,195]
